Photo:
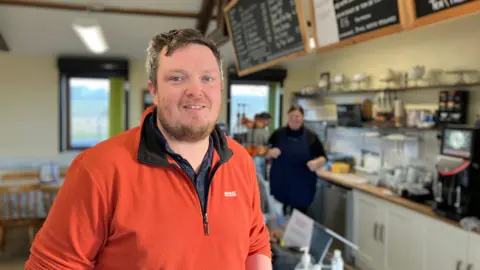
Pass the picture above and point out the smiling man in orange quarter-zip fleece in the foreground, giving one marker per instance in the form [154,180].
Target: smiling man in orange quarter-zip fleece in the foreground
[173,193]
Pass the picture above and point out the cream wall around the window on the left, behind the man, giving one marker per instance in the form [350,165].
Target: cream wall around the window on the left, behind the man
[29,125]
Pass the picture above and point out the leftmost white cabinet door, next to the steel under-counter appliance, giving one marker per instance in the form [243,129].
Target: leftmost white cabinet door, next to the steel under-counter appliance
[369,215]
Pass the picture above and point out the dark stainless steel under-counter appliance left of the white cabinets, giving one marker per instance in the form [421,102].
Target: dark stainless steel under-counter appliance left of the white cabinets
[333,208]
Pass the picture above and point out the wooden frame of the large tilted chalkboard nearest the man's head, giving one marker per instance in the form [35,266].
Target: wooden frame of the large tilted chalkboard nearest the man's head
[303,31]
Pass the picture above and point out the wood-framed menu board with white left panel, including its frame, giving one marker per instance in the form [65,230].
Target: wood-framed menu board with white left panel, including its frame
[338,23]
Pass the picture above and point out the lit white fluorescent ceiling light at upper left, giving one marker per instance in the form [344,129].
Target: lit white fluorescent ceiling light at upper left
[91,35]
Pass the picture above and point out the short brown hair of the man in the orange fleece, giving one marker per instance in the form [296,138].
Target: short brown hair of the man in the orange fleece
[174,40]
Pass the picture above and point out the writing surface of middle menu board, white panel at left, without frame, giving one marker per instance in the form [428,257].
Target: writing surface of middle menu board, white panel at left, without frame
[338,20]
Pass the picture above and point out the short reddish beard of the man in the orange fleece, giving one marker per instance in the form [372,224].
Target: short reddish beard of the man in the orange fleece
[182,132]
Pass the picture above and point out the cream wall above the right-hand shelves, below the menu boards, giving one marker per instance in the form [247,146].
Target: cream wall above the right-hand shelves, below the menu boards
[449,45]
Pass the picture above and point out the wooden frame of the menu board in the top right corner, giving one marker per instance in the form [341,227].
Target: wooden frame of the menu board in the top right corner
[448,13]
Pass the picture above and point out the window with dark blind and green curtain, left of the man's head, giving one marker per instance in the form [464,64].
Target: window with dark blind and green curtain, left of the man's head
[93,100]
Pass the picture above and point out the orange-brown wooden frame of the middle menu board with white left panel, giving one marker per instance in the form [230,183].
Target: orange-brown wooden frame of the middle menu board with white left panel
[405,22]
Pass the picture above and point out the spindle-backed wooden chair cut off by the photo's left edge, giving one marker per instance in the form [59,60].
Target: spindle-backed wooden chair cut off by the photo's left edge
[19,207]
